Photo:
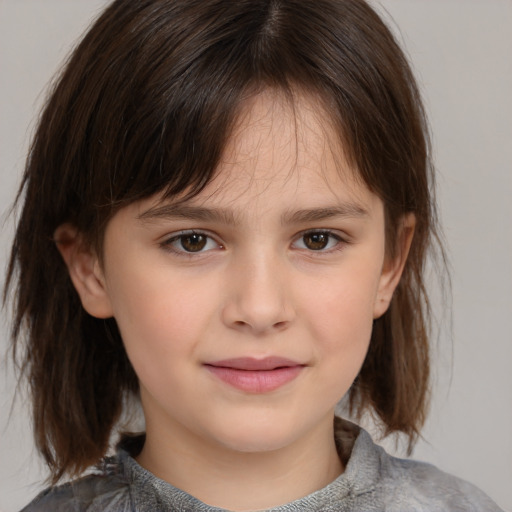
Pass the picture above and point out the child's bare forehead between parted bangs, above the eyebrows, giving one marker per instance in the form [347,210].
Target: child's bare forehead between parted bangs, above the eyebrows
[283,144]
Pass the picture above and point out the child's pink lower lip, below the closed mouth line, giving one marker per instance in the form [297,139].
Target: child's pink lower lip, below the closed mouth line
[256,381]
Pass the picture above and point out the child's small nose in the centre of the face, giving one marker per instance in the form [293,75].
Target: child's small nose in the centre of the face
[259,298]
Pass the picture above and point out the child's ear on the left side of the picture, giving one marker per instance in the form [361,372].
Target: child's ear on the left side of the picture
[85,271]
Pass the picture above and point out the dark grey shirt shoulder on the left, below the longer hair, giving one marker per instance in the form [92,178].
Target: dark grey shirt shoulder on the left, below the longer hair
[106,490]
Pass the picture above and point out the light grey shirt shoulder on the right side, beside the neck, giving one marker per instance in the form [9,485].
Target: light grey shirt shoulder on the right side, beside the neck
[394,484]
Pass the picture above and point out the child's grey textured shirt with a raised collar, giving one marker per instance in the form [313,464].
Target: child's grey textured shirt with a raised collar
[373,481]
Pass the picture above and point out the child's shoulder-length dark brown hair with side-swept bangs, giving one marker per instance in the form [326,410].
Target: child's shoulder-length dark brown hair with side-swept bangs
[145,105]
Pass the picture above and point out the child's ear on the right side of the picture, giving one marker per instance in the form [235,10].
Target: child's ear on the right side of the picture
[393,268]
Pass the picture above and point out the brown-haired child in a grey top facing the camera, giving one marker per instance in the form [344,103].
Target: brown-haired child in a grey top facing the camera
[227,210]
